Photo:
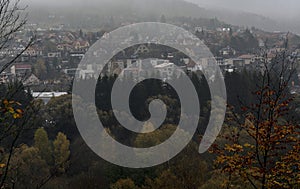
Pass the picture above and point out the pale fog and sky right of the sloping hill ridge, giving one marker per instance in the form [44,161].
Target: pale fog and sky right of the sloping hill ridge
[281,14]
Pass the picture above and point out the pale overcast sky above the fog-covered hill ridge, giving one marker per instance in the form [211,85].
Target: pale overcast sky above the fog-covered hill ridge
[288,9]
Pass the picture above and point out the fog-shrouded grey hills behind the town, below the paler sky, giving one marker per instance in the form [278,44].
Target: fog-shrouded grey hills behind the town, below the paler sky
[95,13]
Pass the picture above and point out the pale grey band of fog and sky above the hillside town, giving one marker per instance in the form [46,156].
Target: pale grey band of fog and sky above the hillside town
[230,11]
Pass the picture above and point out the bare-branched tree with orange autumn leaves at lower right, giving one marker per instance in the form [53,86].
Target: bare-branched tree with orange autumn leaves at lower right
[261,144]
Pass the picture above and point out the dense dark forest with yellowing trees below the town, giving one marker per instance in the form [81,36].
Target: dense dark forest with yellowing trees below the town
[50,153]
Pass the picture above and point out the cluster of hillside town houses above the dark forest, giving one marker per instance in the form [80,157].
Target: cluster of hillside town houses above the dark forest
[57,53]
